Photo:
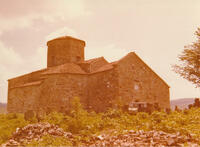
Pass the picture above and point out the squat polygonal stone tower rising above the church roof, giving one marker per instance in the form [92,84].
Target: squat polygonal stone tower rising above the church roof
[65,50]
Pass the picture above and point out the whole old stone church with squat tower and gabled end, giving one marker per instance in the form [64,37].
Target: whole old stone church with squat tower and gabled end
[98,83]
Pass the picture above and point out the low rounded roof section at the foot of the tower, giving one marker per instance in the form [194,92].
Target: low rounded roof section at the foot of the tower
[65,68]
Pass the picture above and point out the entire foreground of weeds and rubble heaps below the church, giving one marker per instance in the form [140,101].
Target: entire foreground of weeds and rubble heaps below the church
[111,128]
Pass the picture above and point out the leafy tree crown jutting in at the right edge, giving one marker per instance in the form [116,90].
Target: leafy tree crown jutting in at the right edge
[190,58]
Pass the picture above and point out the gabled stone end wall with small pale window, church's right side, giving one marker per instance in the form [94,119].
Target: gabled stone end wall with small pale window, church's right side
[138,82]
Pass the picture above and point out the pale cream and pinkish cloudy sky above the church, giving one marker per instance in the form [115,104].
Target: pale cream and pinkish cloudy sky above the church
[156,30]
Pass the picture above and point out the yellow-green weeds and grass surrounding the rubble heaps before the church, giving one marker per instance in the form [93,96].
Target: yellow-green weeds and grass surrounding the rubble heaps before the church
[85,124]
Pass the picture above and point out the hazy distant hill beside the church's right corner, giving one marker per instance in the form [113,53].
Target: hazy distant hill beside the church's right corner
[181,103]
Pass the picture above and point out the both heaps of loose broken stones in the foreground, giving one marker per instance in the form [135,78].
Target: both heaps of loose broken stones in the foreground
[128,138]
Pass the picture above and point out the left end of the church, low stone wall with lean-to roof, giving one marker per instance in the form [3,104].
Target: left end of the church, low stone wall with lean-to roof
[22,93]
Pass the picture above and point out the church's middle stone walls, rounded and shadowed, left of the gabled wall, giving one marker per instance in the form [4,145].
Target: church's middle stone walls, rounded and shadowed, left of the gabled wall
[96,91]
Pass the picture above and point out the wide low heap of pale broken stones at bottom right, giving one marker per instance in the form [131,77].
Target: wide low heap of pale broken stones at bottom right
[149,138]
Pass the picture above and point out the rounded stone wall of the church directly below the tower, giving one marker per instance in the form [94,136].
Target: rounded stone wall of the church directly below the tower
[58,90]
